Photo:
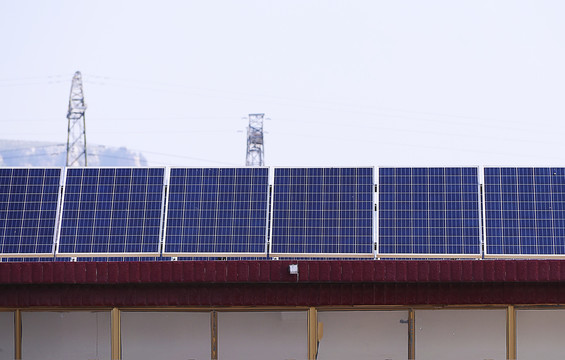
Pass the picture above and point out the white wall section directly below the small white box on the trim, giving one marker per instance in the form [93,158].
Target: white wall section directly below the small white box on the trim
[262,335]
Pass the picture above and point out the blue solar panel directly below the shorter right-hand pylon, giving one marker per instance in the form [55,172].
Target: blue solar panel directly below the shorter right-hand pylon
[217,211]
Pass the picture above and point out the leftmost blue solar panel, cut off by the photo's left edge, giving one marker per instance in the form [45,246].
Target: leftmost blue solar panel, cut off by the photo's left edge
[28,210]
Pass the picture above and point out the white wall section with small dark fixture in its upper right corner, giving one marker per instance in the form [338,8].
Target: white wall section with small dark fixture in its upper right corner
[363,335]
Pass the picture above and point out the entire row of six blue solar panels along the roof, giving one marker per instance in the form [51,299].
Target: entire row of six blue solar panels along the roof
[195,213]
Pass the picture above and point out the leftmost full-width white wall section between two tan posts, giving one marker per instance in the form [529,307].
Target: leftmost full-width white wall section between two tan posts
[66,335]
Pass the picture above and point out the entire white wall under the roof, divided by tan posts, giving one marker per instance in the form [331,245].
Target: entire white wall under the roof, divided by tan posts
[440,334]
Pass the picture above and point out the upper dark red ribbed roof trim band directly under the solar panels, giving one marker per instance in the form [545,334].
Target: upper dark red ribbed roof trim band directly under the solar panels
[274,271]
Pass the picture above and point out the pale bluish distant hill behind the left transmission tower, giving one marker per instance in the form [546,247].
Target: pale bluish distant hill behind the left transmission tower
[36,153]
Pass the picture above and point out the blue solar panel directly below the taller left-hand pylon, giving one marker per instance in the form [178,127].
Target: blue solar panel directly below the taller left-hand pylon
[112,211]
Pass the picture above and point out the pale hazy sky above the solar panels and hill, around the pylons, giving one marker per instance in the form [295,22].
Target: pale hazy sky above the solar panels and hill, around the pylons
[344,83]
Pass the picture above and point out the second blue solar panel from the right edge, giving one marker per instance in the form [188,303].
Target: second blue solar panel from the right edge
[429,211]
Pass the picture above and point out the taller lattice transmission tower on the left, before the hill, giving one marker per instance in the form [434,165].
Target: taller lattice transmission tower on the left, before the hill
[76,137]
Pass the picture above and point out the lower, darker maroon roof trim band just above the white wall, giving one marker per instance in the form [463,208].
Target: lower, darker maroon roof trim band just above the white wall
[280,294]
